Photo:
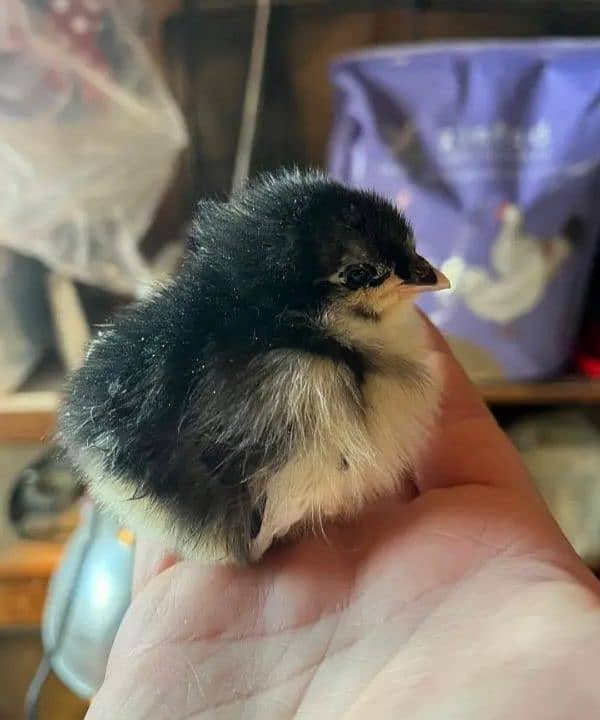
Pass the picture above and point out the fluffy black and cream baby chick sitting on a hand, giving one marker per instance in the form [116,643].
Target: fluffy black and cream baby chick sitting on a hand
[282,377]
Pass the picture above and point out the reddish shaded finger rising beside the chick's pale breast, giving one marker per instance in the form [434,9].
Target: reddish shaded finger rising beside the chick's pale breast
[467,445]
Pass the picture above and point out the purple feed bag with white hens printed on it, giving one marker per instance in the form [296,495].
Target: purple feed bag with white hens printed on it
[493,151]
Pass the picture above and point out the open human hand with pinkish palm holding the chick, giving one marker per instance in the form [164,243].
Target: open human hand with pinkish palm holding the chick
[462,602]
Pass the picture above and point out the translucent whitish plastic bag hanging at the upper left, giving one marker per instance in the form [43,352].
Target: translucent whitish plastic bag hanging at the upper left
[88,139]
